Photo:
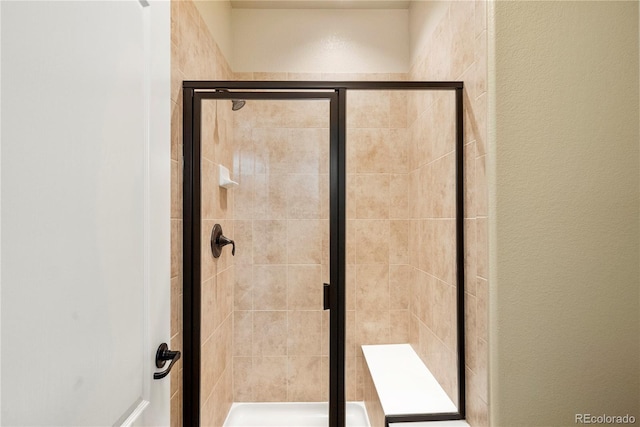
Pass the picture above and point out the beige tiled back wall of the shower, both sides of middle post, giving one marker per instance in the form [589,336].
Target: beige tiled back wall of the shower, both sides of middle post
[268,146]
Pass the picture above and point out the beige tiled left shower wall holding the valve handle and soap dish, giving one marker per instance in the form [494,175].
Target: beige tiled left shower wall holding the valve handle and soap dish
[195,56]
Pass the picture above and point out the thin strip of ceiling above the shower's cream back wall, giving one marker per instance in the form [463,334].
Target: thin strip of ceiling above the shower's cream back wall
[320,4]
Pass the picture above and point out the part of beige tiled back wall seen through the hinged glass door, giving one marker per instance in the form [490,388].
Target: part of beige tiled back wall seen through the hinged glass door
[281,216]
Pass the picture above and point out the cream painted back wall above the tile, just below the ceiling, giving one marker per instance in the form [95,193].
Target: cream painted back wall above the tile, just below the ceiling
[320,40]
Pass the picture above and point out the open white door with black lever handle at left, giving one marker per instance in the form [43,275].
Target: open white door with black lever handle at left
[85,236]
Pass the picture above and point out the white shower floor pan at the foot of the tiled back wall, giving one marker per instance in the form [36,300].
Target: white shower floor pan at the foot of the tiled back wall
[294,414]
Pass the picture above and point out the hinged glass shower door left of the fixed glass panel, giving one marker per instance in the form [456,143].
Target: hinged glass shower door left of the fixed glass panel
[264,334]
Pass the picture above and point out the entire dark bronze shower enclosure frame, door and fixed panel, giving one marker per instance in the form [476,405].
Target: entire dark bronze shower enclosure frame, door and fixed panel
[336,92]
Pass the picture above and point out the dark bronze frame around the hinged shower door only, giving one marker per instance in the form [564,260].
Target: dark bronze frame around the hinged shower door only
[192,222]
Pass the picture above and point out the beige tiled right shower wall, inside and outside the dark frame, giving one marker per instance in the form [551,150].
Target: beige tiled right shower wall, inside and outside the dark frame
[457,50]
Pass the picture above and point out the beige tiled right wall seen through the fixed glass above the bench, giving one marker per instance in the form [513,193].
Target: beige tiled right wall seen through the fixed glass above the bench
[432,240]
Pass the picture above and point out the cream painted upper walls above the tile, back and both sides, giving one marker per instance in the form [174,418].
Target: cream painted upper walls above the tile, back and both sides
[321,40]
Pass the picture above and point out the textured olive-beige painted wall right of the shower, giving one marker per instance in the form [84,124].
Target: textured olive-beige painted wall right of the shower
[563,175]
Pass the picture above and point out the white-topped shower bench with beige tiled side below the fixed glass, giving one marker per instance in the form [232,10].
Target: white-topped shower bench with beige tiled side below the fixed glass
[399,383]
